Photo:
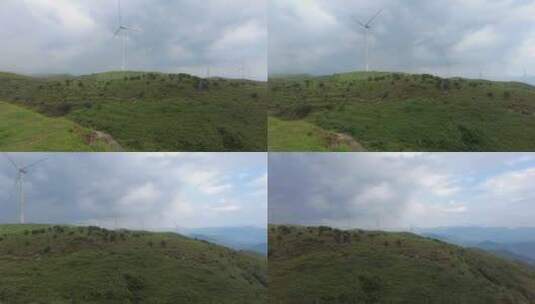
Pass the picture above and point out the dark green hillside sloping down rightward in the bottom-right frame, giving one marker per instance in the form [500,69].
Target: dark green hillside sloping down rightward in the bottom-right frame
[324,265]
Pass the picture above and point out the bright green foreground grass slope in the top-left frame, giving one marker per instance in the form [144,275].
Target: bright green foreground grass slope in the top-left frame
[25,130]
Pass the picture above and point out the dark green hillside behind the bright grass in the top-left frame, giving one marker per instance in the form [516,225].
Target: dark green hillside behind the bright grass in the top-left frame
[151,111]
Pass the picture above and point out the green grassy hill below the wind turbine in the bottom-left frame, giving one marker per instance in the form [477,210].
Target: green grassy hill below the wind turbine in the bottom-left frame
[84,265]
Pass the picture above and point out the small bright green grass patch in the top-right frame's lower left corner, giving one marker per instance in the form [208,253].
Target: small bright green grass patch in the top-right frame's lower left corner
[298,135]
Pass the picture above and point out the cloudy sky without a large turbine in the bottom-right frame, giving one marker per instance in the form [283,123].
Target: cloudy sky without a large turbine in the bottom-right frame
[399,191]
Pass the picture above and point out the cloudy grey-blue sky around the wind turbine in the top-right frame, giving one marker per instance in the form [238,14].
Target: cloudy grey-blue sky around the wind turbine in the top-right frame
[447,37]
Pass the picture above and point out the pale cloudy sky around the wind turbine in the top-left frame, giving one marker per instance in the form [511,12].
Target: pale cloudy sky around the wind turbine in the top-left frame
[77,36]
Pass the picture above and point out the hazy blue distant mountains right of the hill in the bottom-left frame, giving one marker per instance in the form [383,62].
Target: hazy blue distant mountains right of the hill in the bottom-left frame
[246,238]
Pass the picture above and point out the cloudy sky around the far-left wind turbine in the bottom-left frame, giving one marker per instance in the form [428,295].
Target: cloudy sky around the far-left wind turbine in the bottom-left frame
[145,190]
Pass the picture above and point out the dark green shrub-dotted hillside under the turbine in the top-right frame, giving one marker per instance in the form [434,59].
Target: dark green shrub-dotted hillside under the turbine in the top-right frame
[404,112]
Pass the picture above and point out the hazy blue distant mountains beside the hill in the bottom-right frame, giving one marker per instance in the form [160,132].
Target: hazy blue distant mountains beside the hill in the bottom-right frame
[513,243]
